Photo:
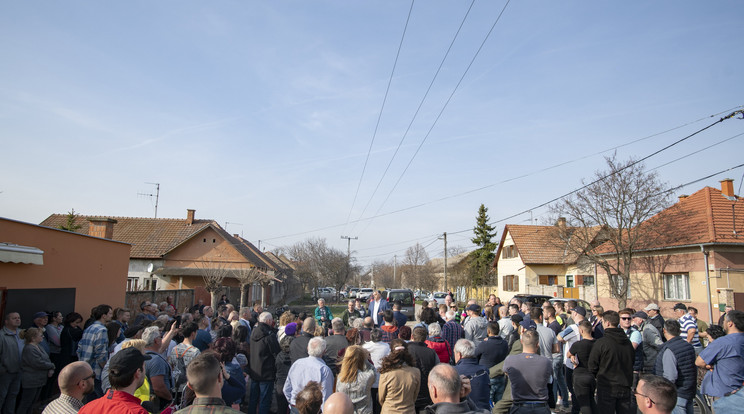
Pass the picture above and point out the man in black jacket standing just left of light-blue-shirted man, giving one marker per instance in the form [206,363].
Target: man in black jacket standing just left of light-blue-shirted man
[262,366]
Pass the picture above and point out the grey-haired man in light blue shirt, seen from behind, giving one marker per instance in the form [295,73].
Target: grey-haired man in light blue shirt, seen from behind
[311,368]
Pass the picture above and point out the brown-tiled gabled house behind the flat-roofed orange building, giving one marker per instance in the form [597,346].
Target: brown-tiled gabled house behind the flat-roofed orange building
[178,253]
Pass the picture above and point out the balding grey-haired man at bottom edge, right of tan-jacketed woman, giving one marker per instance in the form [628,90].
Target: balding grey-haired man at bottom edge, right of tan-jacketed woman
[447,390]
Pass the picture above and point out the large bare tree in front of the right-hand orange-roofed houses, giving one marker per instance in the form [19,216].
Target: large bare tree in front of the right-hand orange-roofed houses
[607,221]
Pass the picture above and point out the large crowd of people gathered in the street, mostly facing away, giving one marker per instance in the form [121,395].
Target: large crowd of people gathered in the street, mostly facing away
[500,357]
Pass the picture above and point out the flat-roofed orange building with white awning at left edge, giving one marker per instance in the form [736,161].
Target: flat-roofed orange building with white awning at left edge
[47,269]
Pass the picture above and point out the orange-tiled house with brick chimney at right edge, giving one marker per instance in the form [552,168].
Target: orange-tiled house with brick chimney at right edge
[705,241]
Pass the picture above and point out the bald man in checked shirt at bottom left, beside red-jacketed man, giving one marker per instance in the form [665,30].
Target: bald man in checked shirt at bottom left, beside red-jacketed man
[75,381]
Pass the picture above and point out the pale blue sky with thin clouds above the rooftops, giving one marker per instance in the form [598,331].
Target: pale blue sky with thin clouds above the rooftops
[262,113]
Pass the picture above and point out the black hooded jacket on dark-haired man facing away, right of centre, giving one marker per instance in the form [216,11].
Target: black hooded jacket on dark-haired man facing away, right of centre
[611,360]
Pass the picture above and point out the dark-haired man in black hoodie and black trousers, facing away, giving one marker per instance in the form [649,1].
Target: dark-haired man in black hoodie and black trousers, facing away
[611,362]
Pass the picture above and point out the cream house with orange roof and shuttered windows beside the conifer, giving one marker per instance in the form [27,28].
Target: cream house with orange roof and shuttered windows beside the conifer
[534,259]
